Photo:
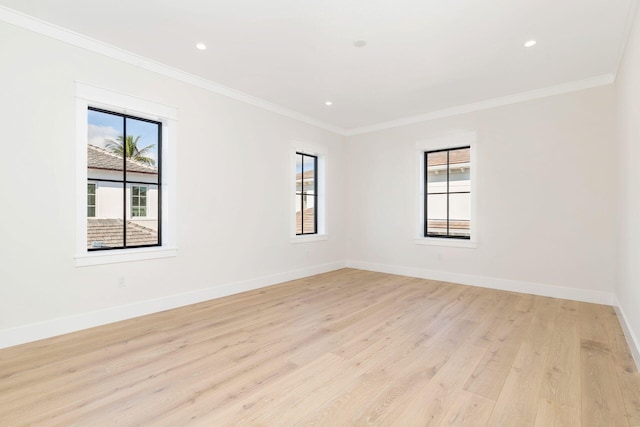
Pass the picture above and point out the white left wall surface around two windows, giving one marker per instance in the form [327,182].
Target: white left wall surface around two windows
[234,167]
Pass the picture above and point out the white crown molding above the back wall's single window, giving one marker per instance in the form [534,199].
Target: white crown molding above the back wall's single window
[491,103]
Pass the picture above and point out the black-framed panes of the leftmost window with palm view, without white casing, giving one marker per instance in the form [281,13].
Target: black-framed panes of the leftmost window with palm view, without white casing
[124,156]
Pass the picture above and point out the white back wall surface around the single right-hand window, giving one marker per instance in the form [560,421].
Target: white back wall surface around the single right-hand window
[546,186]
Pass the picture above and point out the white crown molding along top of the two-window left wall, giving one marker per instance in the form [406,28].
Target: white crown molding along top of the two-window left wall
[62,34]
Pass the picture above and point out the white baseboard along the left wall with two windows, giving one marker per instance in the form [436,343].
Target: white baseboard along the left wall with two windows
[63,325]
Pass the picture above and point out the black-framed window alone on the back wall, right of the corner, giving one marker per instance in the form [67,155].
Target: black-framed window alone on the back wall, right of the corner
[447,196]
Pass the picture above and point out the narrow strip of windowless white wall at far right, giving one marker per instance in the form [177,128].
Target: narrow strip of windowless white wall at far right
[628,91]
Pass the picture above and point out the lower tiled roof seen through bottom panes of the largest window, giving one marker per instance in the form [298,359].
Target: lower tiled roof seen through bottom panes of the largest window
[107,233]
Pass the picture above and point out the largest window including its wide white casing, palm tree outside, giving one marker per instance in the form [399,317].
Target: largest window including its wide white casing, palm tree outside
[124,142]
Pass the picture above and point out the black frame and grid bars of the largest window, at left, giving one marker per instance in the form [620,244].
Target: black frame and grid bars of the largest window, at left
[126,182]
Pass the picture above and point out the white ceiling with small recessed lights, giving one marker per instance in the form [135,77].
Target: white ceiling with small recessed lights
[421,56]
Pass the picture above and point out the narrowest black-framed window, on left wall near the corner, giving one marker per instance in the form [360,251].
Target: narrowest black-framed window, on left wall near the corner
[306,194]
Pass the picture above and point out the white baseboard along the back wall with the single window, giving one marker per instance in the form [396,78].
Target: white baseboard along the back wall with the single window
[575,294]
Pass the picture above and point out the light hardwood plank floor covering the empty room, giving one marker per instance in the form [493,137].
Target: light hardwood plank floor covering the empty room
[344,348]
